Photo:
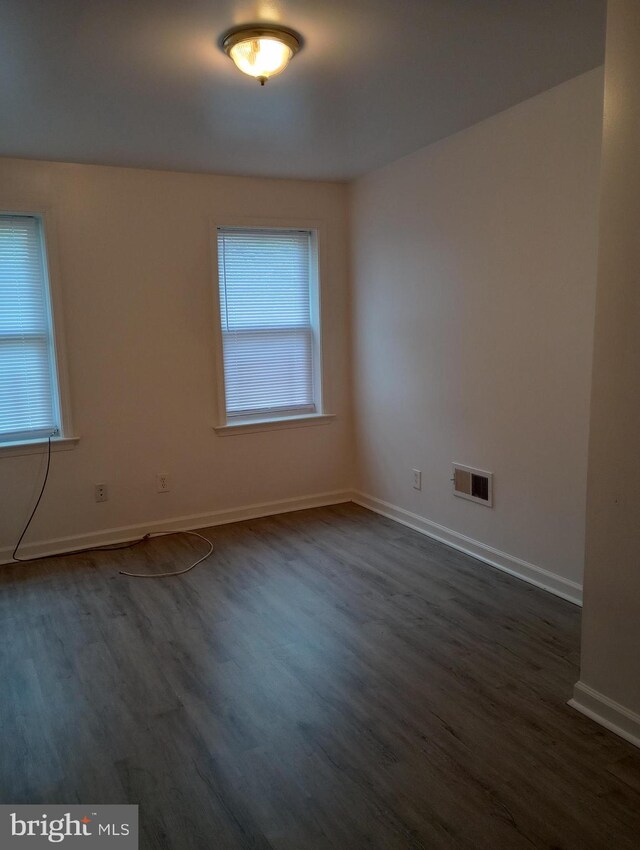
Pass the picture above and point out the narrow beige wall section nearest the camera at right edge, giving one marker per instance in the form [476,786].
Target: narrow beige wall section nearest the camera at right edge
[611,621]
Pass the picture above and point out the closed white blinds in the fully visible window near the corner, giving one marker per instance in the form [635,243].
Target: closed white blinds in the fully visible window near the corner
[266,318]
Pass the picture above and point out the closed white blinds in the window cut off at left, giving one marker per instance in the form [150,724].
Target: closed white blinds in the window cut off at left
[28,399]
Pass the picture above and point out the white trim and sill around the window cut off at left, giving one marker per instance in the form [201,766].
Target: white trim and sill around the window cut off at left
[53,295]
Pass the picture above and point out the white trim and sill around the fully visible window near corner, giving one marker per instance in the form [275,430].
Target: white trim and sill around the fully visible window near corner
[270,421]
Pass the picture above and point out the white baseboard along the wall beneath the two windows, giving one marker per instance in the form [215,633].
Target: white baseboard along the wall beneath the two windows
[126,533]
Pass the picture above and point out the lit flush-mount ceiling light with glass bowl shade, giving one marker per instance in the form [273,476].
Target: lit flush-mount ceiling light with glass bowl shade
[261,51]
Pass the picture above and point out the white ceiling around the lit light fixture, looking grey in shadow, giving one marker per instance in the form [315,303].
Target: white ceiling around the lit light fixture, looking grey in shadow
[143,83]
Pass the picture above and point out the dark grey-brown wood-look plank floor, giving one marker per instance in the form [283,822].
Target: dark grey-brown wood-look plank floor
[327,679]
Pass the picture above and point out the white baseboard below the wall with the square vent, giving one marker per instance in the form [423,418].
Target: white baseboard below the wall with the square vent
[538,576]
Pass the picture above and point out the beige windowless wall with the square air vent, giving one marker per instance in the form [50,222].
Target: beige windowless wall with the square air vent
[474,282]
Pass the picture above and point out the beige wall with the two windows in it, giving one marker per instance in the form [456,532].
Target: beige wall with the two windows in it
[136,272]
